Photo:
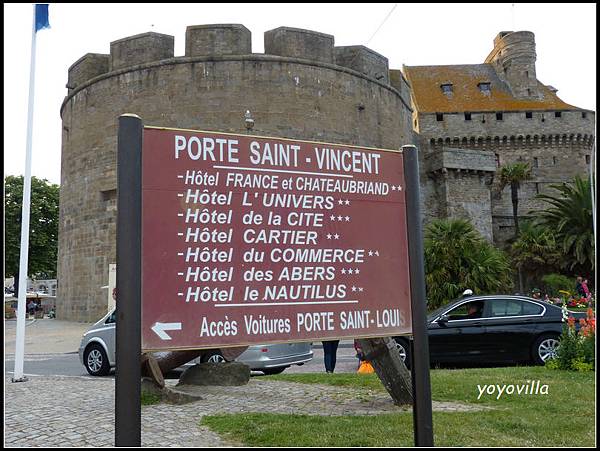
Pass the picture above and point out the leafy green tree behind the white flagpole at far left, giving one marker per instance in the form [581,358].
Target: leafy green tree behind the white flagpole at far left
[43,227]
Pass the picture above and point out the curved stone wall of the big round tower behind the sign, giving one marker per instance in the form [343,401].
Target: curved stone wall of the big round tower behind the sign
[288,96]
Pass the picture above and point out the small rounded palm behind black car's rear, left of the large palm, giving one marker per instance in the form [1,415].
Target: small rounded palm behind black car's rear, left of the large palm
[536,250]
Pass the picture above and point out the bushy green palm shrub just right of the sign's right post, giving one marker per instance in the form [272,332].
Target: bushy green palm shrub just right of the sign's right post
[457,257]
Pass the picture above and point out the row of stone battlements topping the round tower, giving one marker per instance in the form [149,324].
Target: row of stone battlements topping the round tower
[219,40]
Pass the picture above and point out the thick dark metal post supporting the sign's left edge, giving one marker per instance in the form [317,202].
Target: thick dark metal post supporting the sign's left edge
[129,261]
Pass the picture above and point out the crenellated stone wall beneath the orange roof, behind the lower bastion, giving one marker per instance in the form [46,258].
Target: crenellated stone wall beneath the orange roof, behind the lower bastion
[557,149]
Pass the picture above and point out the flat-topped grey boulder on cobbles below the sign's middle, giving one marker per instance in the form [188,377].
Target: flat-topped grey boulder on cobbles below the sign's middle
[222,374]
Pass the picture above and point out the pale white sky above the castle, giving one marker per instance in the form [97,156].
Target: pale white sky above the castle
[407,34]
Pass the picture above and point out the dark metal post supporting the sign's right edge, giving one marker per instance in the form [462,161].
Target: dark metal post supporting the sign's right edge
[422,411]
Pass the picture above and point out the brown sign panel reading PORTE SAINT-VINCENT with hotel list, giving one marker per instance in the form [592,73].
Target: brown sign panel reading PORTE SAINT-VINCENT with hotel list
[249,240]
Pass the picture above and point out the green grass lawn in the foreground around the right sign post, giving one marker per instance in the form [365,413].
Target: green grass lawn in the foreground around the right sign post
[563,417]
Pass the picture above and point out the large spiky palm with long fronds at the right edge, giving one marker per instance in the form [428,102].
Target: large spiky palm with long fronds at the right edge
[570,218]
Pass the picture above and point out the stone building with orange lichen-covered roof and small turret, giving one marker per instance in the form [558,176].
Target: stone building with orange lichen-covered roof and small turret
[471,119]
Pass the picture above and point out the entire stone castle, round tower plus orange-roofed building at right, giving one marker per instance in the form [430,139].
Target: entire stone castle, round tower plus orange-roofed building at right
[304,87]
